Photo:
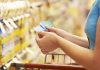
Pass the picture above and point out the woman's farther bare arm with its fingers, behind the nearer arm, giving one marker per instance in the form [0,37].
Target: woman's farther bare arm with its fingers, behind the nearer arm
[73,38]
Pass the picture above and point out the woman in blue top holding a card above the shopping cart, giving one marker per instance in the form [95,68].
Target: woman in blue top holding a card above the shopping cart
[75,46]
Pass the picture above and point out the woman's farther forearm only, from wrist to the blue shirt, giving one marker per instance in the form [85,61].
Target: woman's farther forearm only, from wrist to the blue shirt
[77,40]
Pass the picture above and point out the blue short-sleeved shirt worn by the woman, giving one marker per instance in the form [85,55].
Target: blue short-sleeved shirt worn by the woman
[91,23]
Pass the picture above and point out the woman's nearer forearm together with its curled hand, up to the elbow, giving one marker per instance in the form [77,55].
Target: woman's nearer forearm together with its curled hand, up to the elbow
[49,41]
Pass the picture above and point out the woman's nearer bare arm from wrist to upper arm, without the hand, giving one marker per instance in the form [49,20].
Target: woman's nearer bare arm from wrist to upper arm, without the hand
[88,58]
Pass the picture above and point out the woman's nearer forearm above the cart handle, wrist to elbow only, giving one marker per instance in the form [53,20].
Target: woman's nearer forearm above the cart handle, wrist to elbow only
[82,55]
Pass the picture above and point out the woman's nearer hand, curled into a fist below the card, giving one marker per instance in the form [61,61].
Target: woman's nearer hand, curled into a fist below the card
[47,41]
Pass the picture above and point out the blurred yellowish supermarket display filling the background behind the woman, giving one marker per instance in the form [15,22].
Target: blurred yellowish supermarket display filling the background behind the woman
[20,18]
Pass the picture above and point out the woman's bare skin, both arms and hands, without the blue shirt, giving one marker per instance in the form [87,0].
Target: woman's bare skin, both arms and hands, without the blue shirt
[72,45]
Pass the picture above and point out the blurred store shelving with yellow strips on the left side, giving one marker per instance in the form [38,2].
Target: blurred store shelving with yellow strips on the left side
[17,13]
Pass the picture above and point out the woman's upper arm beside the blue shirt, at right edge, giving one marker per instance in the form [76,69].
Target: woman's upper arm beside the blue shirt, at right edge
[97,46]
